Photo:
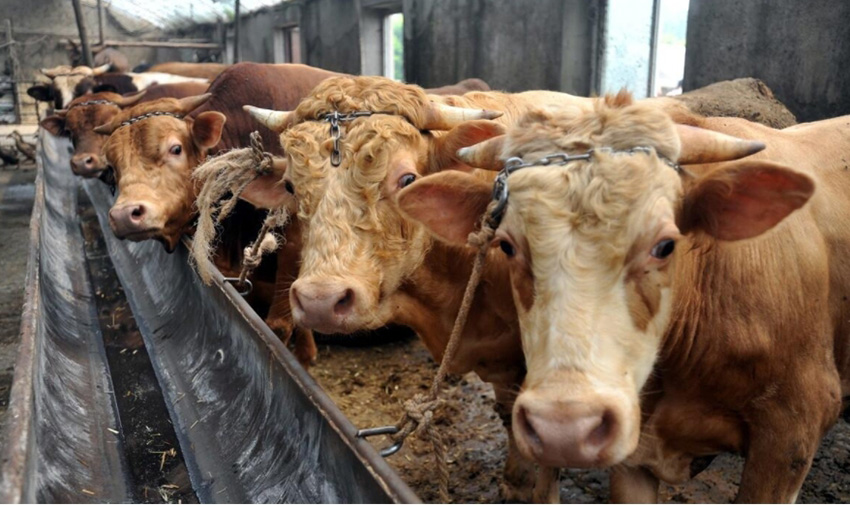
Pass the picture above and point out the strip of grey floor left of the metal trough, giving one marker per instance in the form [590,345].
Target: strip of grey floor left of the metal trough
[16,199]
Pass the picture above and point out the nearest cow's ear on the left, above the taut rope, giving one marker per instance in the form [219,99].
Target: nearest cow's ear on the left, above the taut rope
[450,204]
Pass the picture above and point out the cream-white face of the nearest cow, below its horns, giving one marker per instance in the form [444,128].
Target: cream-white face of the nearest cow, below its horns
[590,247]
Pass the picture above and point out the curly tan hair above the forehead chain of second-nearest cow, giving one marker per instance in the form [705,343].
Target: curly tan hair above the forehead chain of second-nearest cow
[378,94]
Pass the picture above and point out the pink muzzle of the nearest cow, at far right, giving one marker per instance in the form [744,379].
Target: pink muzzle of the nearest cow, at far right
[583,433]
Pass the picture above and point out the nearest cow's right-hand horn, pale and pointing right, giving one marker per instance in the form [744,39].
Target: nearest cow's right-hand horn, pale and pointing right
[705,146]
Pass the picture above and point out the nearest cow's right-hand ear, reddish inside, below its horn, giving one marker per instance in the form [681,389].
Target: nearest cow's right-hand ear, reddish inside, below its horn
[743,201]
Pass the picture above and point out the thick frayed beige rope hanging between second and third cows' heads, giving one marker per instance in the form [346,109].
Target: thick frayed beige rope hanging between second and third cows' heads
[231,172]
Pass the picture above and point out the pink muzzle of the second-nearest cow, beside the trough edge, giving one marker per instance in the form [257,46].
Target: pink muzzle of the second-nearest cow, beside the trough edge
[327,306]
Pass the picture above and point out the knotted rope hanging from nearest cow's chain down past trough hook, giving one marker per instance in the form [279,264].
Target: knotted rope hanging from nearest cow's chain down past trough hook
[419,410]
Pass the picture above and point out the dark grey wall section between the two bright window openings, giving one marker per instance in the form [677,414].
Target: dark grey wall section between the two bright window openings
[513,45]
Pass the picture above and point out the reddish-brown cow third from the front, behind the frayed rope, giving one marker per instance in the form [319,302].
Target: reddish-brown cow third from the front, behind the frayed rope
[154,158]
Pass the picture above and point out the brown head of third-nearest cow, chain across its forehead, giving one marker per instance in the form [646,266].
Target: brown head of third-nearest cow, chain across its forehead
[153,149]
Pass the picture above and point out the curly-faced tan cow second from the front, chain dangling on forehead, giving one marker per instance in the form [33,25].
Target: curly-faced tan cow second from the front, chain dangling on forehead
[364,265]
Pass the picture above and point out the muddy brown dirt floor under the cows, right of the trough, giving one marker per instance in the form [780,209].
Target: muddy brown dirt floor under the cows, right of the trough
[370,384]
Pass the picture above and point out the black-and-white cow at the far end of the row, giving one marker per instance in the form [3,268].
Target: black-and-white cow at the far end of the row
[68,83]
